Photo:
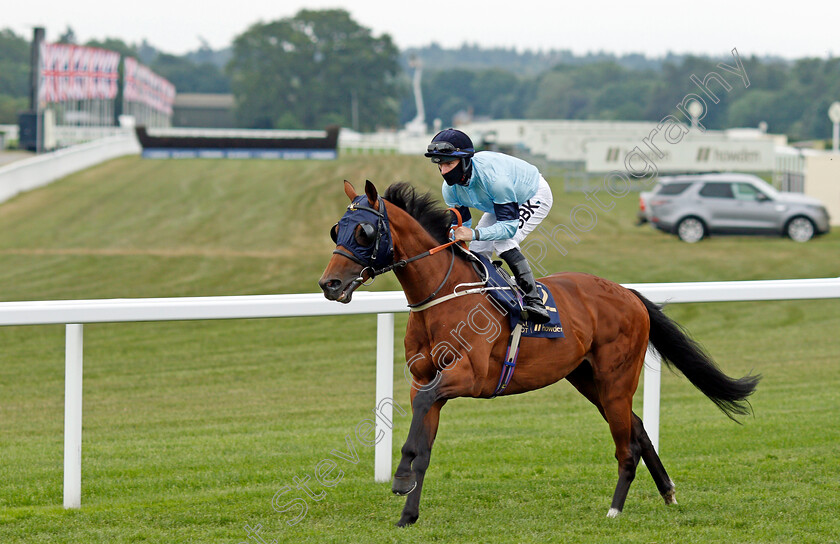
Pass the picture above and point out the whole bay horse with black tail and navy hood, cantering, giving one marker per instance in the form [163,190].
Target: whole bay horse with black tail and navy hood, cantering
[455,348]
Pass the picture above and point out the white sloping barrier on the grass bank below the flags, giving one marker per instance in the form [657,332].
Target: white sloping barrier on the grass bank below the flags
[28,174]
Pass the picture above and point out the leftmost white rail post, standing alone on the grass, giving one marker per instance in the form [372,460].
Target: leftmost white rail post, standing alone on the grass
[73,417]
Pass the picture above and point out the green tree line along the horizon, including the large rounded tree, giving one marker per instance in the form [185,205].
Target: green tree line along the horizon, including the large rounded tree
[321,67]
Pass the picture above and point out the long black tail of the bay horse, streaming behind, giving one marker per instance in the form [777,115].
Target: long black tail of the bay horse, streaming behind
[681,352]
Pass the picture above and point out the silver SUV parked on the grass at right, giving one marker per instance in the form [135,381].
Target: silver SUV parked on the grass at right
[695,206]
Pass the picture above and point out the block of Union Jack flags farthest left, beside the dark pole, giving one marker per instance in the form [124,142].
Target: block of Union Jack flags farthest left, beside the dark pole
[71,72]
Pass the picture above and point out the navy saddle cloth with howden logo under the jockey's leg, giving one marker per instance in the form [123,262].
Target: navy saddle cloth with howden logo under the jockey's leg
[511,301]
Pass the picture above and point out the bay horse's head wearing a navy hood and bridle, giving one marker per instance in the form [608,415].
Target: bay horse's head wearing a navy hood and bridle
[363,244]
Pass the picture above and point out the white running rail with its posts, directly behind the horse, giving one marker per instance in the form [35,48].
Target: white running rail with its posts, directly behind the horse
[76,312]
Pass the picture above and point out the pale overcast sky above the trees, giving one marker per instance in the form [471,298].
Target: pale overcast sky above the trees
[652,27]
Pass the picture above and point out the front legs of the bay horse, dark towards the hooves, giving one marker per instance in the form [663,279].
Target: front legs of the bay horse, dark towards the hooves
[416,452]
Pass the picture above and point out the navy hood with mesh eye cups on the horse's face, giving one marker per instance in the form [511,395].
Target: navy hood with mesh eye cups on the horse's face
[365,233]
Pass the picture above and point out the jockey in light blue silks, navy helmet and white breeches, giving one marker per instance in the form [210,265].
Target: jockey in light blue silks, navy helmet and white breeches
[513,196]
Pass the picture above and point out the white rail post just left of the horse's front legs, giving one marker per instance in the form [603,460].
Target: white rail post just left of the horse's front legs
[384,390]
